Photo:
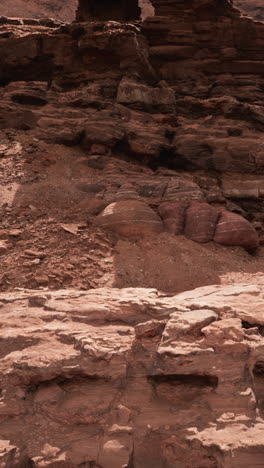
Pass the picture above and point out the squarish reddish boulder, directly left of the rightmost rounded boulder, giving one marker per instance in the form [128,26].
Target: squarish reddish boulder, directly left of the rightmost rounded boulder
[200,222]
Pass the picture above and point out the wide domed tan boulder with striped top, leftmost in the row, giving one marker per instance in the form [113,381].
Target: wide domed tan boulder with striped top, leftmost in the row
[130,218]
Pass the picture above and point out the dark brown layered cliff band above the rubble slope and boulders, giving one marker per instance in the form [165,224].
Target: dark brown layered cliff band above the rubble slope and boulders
[184,91]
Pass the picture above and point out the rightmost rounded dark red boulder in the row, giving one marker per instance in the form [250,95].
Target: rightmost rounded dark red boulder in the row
[233,229]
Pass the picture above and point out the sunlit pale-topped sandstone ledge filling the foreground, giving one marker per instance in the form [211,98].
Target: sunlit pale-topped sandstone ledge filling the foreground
[113,378]
